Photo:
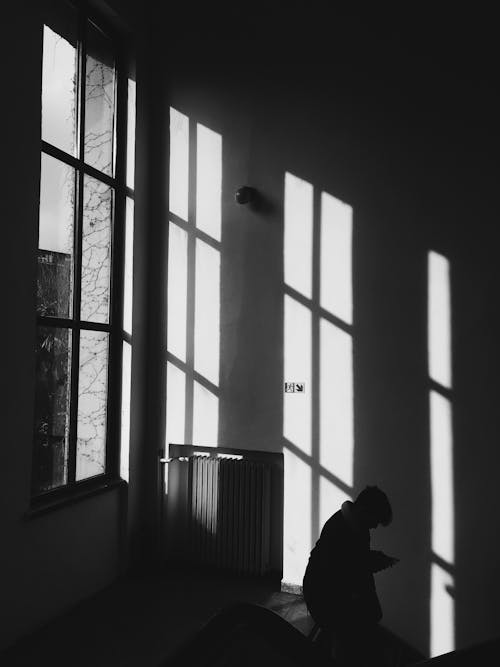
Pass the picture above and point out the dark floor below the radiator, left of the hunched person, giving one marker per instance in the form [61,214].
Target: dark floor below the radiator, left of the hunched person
[141,619]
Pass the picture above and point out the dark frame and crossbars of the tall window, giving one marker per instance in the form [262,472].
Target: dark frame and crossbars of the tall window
[124,64]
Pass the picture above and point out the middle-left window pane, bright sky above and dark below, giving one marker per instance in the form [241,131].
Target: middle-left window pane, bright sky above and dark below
[55,240]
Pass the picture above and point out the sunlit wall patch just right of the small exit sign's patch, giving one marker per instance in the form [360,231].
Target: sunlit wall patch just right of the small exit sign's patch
[336,402]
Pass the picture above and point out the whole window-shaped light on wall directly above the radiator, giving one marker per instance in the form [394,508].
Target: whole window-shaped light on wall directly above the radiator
[194,257]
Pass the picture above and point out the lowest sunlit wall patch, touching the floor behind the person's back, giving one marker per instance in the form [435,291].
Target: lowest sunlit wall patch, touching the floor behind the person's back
[297,518]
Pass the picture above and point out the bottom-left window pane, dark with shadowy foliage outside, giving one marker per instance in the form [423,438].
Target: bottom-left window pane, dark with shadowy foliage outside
[52,398]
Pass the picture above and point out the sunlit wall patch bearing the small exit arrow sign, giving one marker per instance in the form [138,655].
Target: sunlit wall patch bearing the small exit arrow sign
[297,413]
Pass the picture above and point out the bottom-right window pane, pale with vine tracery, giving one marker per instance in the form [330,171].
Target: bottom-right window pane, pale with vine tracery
[92,399]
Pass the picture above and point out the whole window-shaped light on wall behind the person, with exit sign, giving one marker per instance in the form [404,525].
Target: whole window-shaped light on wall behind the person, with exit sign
[318,419]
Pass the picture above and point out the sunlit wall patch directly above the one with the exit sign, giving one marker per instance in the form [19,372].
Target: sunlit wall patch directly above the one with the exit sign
[298,234]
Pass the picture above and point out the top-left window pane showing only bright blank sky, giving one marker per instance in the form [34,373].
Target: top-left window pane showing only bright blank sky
[59,91]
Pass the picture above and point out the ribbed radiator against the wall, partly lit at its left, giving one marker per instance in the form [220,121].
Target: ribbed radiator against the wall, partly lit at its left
[229,513]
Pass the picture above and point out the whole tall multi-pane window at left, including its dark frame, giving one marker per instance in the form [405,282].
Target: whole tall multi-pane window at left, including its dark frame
[84,265]
